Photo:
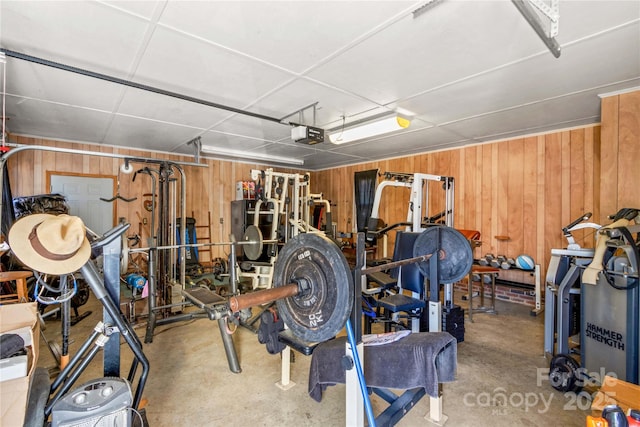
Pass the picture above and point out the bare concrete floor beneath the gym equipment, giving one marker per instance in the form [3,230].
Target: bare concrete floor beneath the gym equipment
[501,377]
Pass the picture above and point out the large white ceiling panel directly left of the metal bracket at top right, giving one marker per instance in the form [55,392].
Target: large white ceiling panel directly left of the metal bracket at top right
[414,55]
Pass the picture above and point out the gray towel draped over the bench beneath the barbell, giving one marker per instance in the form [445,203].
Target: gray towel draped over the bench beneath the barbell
[420,360]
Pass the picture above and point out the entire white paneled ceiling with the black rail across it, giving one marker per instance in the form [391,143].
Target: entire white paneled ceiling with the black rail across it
[469,71]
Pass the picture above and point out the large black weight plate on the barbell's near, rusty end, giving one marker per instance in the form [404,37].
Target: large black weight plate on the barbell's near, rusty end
[318,314]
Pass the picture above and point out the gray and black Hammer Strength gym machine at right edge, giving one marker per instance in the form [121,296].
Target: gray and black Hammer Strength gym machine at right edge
[597,300]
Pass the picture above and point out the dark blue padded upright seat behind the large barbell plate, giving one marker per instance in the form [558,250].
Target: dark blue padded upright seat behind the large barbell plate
[393,304]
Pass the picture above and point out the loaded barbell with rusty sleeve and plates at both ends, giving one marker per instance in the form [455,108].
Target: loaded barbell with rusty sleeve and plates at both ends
[313,285]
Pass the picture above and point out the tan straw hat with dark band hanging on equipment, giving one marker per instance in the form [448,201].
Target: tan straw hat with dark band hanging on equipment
[50,244]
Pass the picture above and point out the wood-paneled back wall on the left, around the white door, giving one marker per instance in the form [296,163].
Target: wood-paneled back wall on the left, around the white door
[209,190]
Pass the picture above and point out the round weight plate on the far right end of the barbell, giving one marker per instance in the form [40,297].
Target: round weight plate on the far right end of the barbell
[452,248]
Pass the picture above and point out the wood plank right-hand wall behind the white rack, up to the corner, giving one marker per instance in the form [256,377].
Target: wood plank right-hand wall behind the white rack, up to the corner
[525,188]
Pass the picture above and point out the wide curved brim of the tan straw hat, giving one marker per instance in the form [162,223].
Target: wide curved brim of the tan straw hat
[21,247]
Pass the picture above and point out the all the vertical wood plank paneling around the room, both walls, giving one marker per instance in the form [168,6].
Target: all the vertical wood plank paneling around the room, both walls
[524,188]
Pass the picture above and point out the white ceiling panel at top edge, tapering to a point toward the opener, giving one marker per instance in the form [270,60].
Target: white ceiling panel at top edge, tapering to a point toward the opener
[293,35]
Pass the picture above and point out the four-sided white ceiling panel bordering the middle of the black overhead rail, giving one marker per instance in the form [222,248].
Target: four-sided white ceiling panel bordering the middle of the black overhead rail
[178,63]
